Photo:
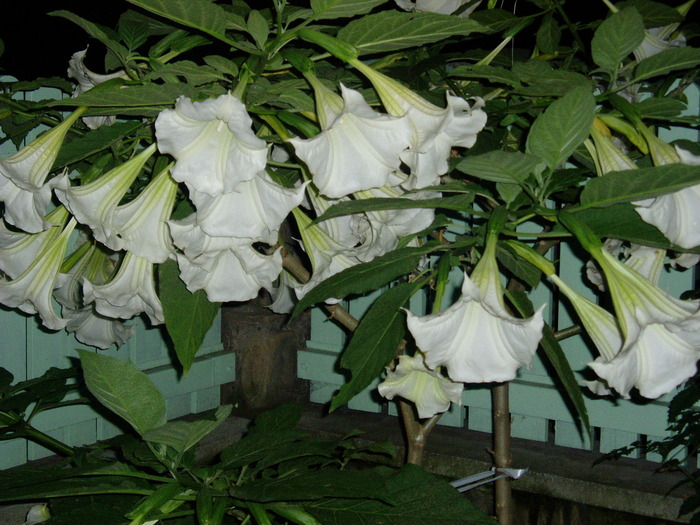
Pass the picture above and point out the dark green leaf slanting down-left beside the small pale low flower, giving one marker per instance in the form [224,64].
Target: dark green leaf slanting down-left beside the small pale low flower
[374,341]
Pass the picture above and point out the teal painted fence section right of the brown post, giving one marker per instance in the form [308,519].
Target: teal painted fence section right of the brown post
[539,412]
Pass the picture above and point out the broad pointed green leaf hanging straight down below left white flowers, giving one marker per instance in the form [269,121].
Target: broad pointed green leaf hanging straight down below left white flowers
[188,316]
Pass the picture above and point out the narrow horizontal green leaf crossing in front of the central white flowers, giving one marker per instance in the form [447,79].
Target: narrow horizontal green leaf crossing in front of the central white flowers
[456,202]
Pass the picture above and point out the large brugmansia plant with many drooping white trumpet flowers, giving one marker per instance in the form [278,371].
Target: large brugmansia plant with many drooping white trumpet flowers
[325,150]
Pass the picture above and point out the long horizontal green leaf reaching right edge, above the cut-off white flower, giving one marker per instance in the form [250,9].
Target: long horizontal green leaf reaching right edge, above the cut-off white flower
[635,185]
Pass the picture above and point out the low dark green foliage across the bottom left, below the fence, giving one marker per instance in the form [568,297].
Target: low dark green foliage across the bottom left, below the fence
[273,473]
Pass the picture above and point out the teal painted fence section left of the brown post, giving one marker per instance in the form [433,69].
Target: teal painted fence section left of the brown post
[27,351]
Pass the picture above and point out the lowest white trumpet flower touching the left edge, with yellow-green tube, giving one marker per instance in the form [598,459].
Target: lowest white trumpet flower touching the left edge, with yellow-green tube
[31,291]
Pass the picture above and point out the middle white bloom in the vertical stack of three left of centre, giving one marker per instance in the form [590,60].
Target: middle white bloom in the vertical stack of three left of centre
[254,210]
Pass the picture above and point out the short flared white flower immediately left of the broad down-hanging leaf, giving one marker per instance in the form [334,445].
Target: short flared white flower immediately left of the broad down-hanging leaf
[130,292]
